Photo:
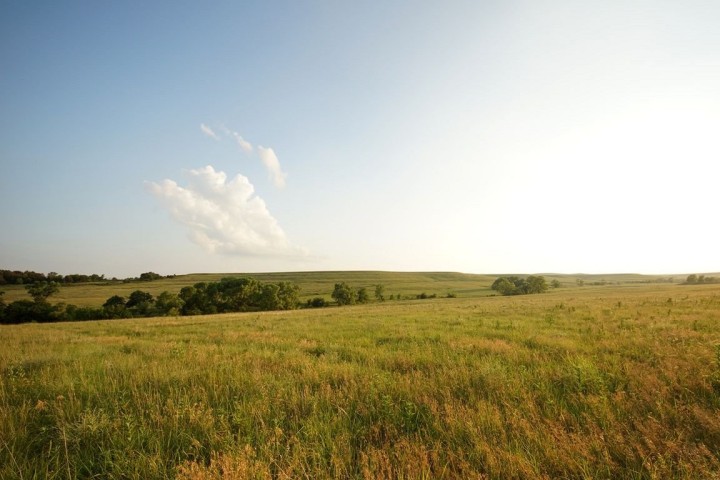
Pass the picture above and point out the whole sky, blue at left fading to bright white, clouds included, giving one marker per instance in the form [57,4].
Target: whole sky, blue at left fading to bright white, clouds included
[473,136]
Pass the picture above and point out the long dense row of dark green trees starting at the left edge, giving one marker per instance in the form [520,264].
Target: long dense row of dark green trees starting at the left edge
[230,294]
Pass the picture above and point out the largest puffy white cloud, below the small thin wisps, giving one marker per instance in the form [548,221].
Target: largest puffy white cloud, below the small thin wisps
[224,216]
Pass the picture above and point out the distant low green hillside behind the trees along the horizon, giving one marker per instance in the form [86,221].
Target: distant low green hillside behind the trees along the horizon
[321,284]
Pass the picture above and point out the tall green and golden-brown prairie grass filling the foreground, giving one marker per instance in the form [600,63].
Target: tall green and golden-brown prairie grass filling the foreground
[614,382]
